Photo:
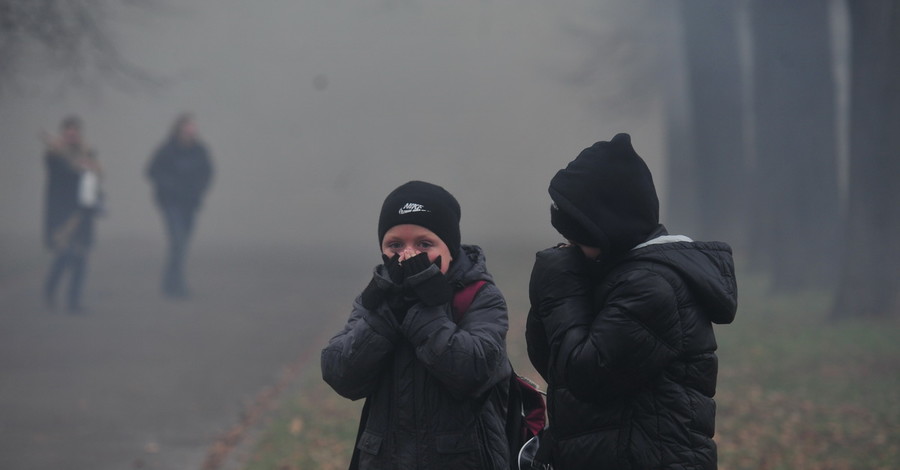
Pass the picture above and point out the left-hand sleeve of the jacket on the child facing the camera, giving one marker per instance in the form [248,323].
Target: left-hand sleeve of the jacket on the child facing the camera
[355,358]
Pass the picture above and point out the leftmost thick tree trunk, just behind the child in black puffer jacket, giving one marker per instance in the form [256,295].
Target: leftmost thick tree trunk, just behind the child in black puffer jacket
[707,165]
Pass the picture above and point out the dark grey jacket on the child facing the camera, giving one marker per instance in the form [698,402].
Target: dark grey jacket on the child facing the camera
[437,389]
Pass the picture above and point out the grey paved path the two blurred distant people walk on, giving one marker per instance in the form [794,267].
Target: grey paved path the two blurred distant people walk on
[141,382]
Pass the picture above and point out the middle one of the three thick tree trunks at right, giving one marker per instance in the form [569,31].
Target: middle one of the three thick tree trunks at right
[795,185]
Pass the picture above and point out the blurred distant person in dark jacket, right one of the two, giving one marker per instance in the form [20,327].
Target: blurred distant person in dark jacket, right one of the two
[180,172]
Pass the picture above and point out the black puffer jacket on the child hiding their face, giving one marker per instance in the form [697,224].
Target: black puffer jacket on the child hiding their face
[629,353]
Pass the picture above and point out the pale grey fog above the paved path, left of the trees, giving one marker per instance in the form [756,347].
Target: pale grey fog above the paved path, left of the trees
[315,111]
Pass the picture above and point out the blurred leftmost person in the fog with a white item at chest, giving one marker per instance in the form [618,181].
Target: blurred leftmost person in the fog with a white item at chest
[72,201]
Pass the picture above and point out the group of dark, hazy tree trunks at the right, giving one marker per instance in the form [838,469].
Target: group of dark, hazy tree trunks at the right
[761,148]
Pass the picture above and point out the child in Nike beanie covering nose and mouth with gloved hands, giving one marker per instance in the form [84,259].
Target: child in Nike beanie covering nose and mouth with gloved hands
[436,389]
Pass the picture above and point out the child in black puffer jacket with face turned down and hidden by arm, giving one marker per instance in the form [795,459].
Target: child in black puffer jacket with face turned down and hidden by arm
[621,322]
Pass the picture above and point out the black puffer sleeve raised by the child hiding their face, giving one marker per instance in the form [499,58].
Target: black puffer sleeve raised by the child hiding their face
[633,337]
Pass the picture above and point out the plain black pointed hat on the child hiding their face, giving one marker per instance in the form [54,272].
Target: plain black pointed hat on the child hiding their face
[605,198]
